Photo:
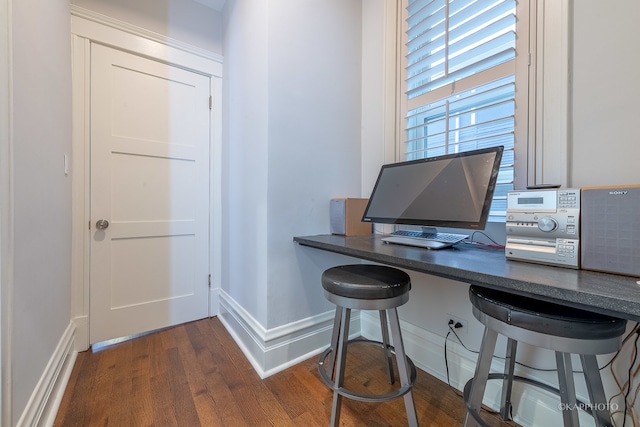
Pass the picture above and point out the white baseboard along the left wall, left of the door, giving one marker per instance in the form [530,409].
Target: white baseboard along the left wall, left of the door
[43,404]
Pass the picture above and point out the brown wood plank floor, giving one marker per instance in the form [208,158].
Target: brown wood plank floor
[196,375]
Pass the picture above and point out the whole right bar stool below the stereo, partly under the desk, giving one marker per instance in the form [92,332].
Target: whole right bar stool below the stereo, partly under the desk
[564,330]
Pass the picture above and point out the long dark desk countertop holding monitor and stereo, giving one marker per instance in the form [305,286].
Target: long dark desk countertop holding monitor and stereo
[605,293]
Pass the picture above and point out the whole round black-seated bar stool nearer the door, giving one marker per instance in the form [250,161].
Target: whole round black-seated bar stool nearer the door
[367,287]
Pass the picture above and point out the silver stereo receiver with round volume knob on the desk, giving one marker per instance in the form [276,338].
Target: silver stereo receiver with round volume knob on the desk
[543,226]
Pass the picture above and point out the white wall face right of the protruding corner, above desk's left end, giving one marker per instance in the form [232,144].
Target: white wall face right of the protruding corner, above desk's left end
[313,138]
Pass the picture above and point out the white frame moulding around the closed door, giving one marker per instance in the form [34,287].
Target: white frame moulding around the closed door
[88,27]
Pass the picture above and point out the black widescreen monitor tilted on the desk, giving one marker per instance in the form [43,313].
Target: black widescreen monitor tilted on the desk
[453,190]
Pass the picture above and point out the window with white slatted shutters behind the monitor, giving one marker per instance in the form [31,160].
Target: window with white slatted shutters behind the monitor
[460,82]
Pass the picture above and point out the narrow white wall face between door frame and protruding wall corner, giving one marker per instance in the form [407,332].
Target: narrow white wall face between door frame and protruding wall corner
[245,156]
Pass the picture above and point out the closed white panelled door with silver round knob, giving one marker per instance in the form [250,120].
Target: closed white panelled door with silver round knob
[150,183]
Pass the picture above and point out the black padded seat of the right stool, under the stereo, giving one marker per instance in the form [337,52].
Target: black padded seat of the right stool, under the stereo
[545,317]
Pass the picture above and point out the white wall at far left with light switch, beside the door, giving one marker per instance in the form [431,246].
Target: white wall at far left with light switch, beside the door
[41,110]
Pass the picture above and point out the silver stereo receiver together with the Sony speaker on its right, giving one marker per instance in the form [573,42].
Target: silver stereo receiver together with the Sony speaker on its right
[593,228]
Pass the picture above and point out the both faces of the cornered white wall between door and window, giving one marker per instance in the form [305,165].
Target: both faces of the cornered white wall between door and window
[291,139]
